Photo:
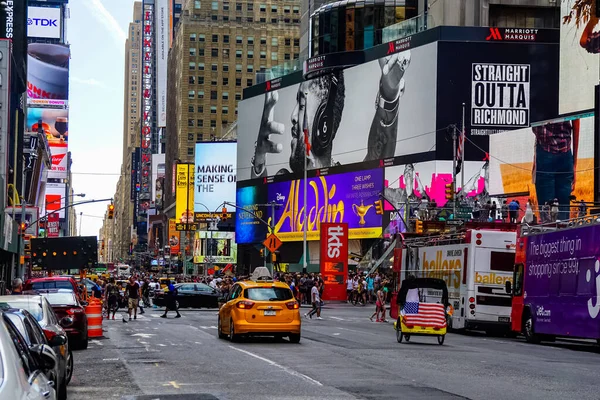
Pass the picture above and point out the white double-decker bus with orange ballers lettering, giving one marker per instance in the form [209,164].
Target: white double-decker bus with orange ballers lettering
[476,264]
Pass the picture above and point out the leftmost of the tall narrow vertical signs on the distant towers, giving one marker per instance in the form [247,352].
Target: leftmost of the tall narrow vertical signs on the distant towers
[147,116]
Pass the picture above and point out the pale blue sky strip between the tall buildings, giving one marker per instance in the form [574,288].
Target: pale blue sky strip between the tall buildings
[96,31]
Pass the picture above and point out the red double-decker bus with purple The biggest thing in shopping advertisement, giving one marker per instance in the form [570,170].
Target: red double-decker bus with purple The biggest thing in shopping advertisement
[556,283]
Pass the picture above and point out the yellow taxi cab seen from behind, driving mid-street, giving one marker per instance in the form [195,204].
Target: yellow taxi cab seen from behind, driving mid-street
[262,308]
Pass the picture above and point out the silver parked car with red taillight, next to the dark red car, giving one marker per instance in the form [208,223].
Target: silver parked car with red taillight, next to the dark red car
[43,314]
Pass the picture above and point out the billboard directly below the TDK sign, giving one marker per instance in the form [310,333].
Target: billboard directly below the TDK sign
[48,71]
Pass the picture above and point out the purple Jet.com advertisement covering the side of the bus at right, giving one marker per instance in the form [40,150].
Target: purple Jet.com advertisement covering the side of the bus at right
[562,282]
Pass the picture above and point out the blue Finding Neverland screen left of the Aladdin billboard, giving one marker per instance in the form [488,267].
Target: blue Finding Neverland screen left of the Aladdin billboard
[248,228]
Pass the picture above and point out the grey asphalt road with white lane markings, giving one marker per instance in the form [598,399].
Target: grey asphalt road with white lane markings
[343,356]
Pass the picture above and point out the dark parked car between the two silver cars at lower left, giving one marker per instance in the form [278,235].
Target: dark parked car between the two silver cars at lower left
[34,336]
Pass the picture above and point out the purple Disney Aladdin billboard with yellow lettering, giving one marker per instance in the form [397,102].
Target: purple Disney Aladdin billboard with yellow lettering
[348,197]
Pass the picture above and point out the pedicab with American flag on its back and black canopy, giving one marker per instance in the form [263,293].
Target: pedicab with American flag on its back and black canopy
[423,305]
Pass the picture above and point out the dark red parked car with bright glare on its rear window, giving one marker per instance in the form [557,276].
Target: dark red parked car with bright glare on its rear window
[70,311]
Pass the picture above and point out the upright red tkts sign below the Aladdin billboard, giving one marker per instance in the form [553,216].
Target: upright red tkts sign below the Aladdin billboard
[334,259]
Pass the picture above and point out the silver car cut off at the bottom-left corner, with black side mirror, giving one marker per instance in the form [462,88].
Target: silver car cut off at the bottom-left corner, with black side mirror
[21,367]
